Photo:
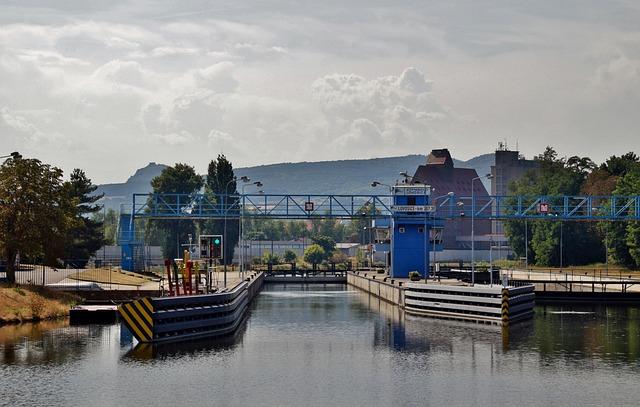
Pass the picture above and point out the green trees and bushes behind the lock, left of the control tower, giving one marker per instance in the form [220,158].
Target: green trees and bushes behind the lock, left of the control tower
[220,180]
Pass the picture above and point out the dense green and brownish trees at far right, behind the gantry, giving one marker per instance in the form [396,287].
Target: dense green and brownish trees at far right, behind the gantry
[582,242]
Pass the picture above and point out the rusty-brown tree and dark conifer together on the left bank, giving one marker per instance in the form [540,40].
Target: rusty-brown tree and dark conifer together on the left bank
[44,218]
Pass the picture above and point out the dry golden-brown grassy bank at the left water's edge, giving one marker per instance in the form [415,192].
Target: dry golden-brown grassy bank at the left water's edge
[33,303]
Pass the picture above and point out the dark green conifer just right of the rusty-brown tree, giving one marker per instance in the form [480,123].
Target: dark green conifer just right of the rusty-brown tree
[86,236]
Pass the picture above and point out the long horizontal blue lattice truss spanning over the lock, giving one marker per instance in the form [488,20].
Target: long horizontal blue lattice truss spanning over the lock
[286,206]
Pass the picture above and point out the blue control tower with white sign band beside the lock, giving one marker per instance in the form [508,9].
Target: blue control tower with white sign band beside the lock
[416,232]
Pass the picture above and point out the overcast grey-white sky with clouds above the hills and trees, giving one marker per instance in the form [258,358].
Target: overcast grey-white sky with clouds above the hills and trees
[109,86]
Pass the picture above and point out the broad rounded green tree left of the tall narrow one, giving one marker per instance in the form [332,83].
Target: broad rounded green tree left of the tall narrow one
[179,179]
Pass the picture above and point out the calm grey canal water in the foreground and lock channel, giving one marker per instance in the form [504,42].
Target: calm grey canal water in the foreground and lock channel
[329,345]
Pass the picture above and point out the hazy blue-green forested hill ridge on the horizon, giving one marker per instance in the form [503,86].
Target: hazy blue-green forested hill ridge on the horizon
[324,177]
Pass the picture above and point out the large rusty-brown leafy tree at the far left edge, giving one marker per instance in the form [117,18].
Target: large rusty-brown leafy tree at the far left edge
[34,212]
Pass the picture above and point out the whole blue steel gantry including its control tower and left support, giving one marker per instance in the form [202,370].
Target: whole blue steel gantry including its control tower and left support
[414,219]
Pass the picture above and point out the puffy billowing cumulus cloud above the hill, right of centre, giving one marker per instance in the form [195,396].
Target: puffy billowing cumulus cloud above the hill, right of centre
[379,115]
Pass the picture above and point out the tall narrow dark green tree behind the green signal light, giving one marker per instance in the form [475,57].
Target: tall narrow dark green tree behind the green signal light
[221,182]
